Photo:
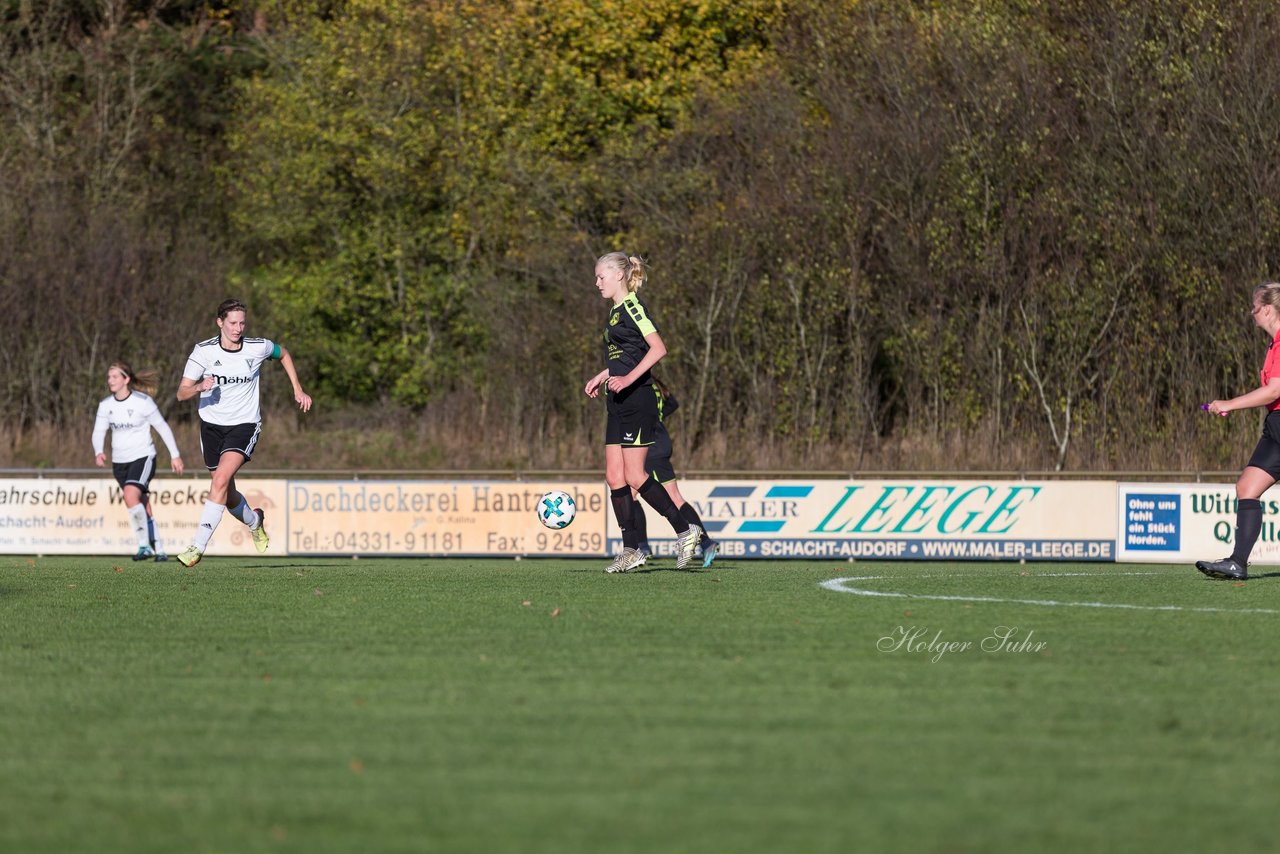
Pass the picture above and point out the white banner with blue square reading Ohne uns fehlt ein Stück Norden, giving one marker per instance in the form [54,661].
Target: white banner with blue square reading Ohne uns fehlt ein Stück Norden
[1188,523]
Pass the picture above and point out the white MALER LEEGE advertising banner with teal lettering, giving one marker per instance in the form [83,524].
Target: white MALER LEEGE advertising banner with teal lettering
[909,520]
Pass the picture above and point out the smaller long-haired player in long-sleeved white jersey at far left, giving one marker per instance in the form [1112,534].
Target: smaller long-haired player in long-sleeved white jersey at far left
[130,413]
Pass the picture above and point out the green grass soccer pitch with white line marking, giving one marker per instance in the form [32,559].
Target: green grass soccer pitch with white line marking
[543,706]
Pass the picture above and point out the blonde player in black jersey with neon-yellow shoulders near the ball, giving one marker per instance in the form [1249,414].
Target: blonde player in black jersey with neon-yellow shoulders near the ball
[632,349]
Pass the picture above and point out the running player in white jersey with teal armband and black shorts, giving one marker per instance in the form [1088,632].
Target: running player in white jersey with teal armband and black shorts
[225,372]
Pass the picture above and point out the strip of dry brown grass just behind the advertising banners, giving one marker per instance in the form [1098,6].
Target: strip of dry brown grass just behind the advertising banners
[403,441]
